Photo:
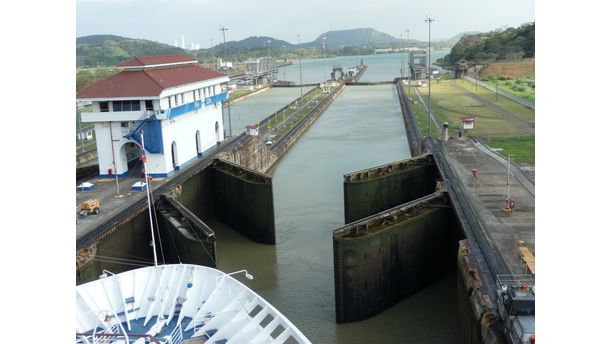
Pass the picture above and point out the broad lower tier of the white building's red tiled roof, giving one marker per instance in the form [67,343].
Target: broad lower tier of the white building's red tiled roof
[147,83]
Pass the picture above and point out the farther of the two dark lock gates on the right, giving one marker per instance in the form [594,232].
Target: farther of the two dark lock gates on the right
[371,191]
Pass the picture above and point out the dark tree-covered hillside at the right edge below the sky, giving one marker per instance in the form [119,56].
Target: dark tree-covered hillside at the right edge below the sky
[511,43]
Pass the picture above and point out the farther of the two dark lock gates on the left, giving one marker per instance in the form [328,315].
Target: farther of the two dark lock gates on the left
[244,201]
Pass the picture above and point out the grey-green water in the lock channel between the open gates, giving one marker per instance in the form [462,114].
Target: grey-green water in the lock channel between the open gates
[361,129]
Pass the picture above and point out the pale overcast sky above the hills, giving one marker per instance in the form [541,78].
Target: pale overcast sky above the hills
[199,20]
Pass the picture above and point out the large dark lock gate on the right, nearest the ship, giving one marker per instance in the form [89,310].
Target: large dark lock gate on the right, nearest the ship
[376,270]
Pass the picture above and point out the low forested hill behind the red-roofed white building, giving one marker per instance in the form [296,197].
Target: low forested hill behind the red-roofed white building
[110,50]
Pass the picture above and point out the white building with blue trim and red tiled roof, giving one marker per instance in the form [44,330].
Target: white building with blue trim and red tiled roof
[176,104]
